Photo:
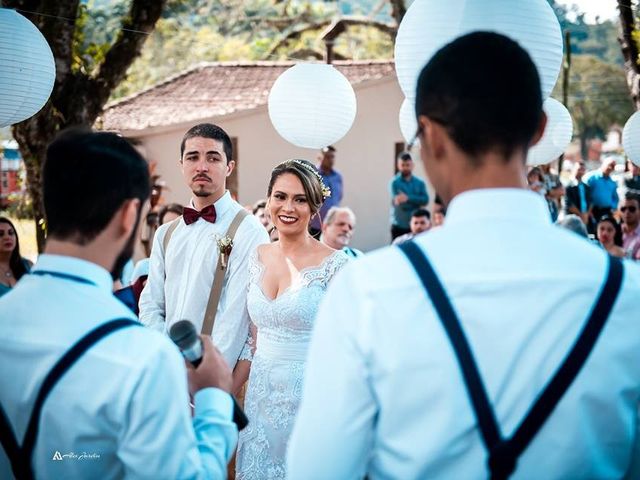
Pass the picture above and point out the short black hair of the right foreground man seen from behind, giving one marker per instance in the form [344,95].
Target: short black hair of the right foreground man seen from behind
[485,90]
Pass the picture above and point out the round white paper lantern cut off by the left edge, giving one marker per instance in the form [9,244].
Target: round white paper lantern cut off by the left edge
[27,68]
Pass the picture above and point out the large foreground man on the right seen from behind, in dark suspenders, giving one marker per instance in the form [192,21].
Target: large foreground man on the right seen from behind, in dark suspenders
[497,345]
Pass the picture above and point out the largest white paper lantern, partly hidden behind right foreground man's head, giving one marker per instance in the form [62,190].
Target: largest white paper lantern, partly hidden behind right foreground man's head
[428,25]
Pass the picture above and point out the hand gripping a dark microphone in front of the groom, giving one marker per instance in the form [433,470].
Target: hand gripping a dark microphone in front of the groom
[209,367]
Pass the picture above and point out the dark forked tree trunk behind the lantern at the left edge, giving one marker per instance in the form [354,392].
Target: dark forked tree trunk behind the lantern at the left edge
[86,74]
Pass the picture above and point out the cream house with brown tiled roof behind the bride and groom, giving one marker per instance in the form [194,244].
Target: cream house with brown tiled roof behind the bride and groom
[234,96]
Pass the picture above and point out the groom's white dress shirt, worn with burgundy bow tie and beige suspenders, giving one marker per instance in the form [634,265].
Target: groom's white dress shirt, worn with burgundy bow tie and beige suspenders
[180,280]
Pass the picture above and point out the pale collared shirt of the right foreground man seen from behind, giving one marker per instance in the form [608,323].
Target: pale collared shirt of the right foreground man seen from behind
[383,391]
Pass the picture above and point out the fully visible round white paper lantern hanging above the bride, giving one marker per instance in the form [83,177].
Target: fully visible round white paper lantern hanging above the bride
[312,105]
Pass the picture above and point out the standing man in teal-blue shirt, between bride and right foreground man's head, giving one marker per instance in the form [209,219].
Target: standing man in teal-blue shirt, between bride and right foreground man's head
[408,193]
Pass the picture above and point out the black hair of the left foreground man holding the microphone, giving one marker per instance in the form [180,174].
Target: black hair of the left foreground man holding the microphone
[86,177]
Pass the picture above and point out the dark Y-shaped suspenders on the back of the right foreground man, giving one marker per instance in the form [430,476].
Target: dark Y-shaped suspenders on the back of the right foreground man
[504,453]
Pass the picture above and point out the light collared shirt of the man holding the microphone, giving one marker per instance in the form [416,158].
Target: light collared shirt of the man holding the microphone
[125,400]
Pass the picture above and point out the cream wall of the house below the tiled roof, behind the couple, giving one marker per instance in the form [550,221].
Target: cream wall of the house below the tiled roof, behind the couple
[365,157]
